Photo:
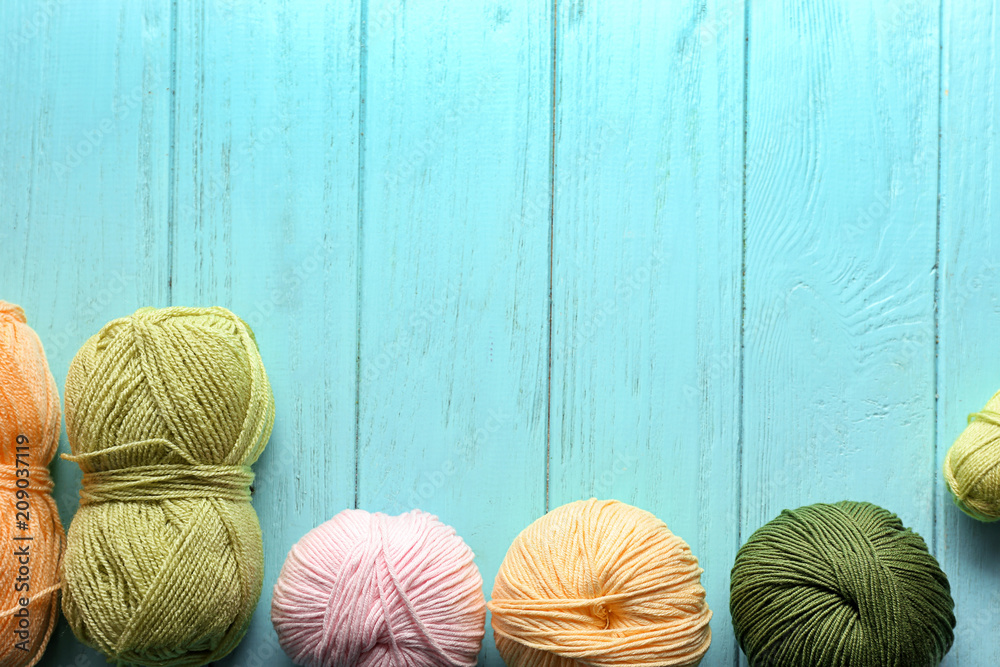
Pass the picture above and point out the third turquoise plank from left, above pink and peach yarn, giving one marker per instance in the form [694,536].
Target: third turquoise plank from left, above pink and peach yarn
[454,286]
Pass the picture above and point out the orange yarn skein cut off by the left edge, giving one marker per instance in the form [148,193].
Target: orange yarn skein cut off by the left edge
[31,534]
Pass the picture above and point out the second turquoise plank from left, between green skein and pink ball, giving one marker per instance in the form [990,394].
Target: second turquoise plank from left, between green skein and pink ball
[266,224]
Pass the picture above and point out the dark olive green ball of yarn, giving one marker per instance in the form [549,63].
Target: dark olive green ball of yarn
[836,585]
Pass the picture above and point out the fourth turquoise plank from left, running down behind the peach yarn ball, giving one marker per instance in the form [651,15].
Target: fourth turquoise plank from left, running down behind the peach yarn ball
[646,277]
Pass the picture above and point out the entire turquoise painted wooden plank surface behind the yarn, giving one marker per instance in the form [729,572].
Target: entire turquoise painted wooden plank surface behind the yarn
[714,258]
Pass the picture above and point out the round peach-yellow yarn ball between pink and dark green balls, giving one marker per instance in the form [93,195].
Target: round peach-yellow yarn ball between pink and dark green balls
[599,583]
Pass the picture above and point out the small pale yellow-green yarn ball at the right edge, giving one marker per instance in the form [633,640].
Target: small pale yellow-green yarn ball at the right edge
[972,465]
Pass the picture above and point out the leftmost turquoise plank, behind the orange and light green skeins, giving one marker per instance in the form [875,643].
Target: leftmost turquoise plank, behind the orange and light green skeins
[83,143]
